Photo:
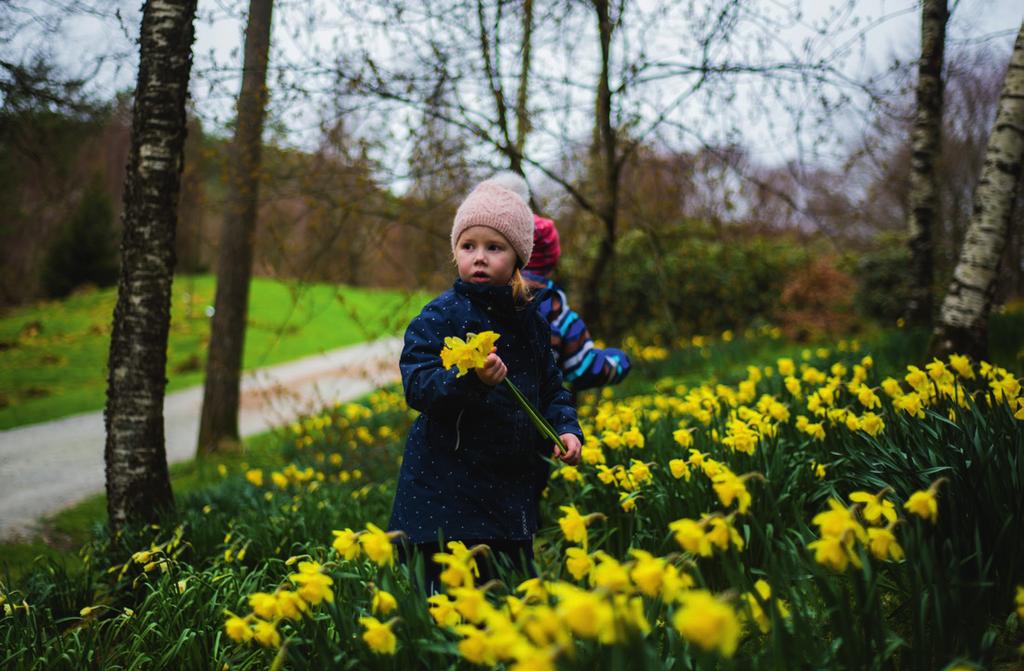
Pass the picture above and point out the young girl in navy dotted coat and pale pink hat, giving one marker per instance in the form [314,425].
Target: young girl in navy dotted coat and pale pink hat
[475,466]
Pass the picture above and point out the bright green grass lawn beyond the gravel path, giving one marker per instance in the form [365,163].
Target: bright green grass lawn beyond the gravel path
[54,355]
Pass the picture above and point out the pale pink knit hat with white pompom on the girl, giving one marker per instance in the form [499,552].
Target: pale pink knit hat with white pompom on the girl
[498,208]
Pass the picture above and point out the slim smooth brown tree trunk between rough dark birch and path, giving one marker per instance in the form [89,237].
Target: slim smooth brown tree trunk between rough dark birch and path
[220,422]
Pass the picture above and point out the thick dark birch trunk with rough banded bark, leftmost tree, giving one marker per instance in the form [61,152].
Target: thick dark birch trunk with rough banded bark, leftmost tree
[138,482]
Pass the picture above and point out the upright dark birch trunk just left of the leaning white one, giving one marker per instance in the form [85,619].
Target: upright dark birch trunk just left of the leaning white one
[926,139]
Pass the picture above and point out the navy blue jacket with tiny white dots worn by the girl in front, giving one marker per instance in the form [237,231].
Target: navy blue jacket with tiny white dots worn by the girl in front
[475,466]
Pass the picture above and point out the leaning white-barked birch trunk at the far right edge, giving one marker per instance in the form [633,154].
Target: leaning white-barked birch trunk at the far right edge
[963,323]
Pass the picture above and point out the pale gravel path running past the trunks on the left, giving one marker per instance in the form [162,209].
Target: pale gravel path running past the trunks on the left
[49,467]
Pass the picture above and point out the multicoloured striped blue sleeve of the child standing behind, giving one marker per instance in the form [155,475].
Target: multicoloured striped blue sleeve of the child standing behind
[584,366]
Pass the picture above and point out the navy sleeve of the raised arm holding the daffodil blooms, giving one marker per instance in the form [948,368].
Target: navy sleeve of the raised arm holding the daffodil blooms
[430,388]
